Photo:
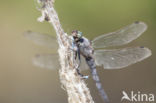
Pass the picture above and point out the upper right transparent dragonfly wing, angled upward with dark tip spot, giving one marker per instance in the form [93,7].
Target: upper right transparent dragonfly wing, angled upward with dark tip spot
[120,37]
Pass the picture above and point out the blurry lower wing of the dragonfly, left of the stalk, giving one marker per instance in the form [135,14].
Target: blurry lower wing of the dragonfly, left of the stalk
[48,61]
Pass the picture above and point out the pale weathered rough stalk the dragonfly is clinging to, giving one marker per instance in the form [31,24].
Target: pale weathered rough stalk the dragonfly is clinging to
[74,85]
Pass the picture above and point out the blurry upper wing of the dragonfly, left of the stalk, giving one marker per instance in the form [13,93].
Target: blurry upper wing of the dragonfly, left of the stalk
[42,39]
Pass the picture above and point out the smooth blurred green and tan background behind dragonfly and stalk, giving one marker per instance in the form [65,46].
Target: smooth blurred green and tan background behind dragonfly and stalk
[21,82]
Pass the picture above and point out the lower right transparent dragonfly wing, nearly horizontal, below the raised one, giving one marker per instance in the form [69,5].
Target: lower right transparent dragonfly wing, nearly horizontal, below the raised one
[119,58]
